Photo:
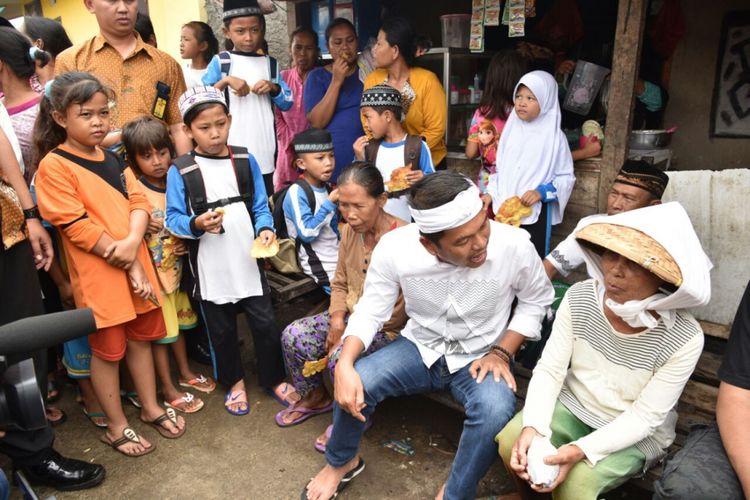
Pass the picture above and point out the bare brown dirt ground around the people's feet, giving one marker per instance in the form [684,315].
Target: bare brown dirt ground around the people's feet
[223,456]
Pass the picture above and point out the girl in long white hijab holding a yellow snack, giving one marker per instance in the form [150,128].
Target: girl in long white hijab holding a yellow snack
[533,158]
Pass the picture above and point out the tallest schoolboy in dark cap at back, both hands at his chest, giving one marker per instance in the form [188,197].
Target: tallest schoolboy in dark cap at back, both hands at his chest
[251,82]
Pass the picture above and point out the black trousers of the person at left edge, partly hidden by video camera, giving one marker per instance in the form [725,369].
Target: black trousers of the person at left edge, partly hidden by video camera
[21,297]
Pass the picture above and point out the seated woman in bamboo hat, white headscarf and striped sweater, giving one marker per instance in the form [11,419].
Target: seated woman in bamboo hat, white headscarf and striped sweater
[601,403]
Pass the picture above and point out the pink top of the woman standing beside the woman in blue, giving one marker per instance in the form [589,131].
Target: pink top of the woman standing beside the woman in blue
[288,124]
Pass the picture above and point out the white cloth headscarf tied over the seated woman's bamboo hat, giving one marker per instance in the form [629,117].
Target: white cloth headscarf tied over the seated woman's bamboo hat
[670,226]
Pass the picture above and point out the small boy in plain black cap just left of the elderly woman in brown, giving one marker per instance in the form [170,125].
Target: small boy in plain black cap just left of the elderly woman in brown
[307,208]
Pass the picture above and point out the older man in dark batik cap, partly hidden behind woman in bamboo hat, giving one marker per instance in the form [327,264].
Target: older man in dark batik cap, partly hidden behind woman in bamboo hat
[637,185]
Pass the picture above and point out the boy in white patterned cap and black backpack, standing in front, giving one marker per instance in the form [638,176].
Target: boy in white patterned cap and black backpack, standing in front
[216,201]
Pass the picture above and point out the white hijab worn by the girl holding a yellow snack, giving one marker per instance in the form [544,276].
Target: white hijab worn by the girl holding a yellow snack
[534,153]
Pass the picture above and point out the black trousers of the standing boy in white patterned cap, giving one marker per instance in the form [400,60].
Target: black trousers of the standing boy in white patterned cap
[221,325]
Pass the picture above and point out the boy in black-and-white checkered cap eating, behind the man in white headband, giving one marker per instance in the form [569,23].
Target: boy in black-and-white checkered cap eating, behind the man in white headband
[391,148]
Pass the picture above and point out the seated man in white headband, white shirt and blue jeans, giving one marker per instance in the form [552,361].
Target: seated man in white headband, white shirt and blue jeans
[460,274]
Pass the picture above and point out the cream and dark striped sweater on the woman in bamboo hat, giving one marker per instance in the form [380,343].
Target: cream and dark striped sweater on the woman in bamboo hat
[625,387]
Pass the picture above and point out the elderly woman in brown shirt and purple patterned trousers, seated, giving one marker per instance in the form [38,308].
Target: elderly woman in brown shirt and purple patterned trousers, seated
[361,201]
